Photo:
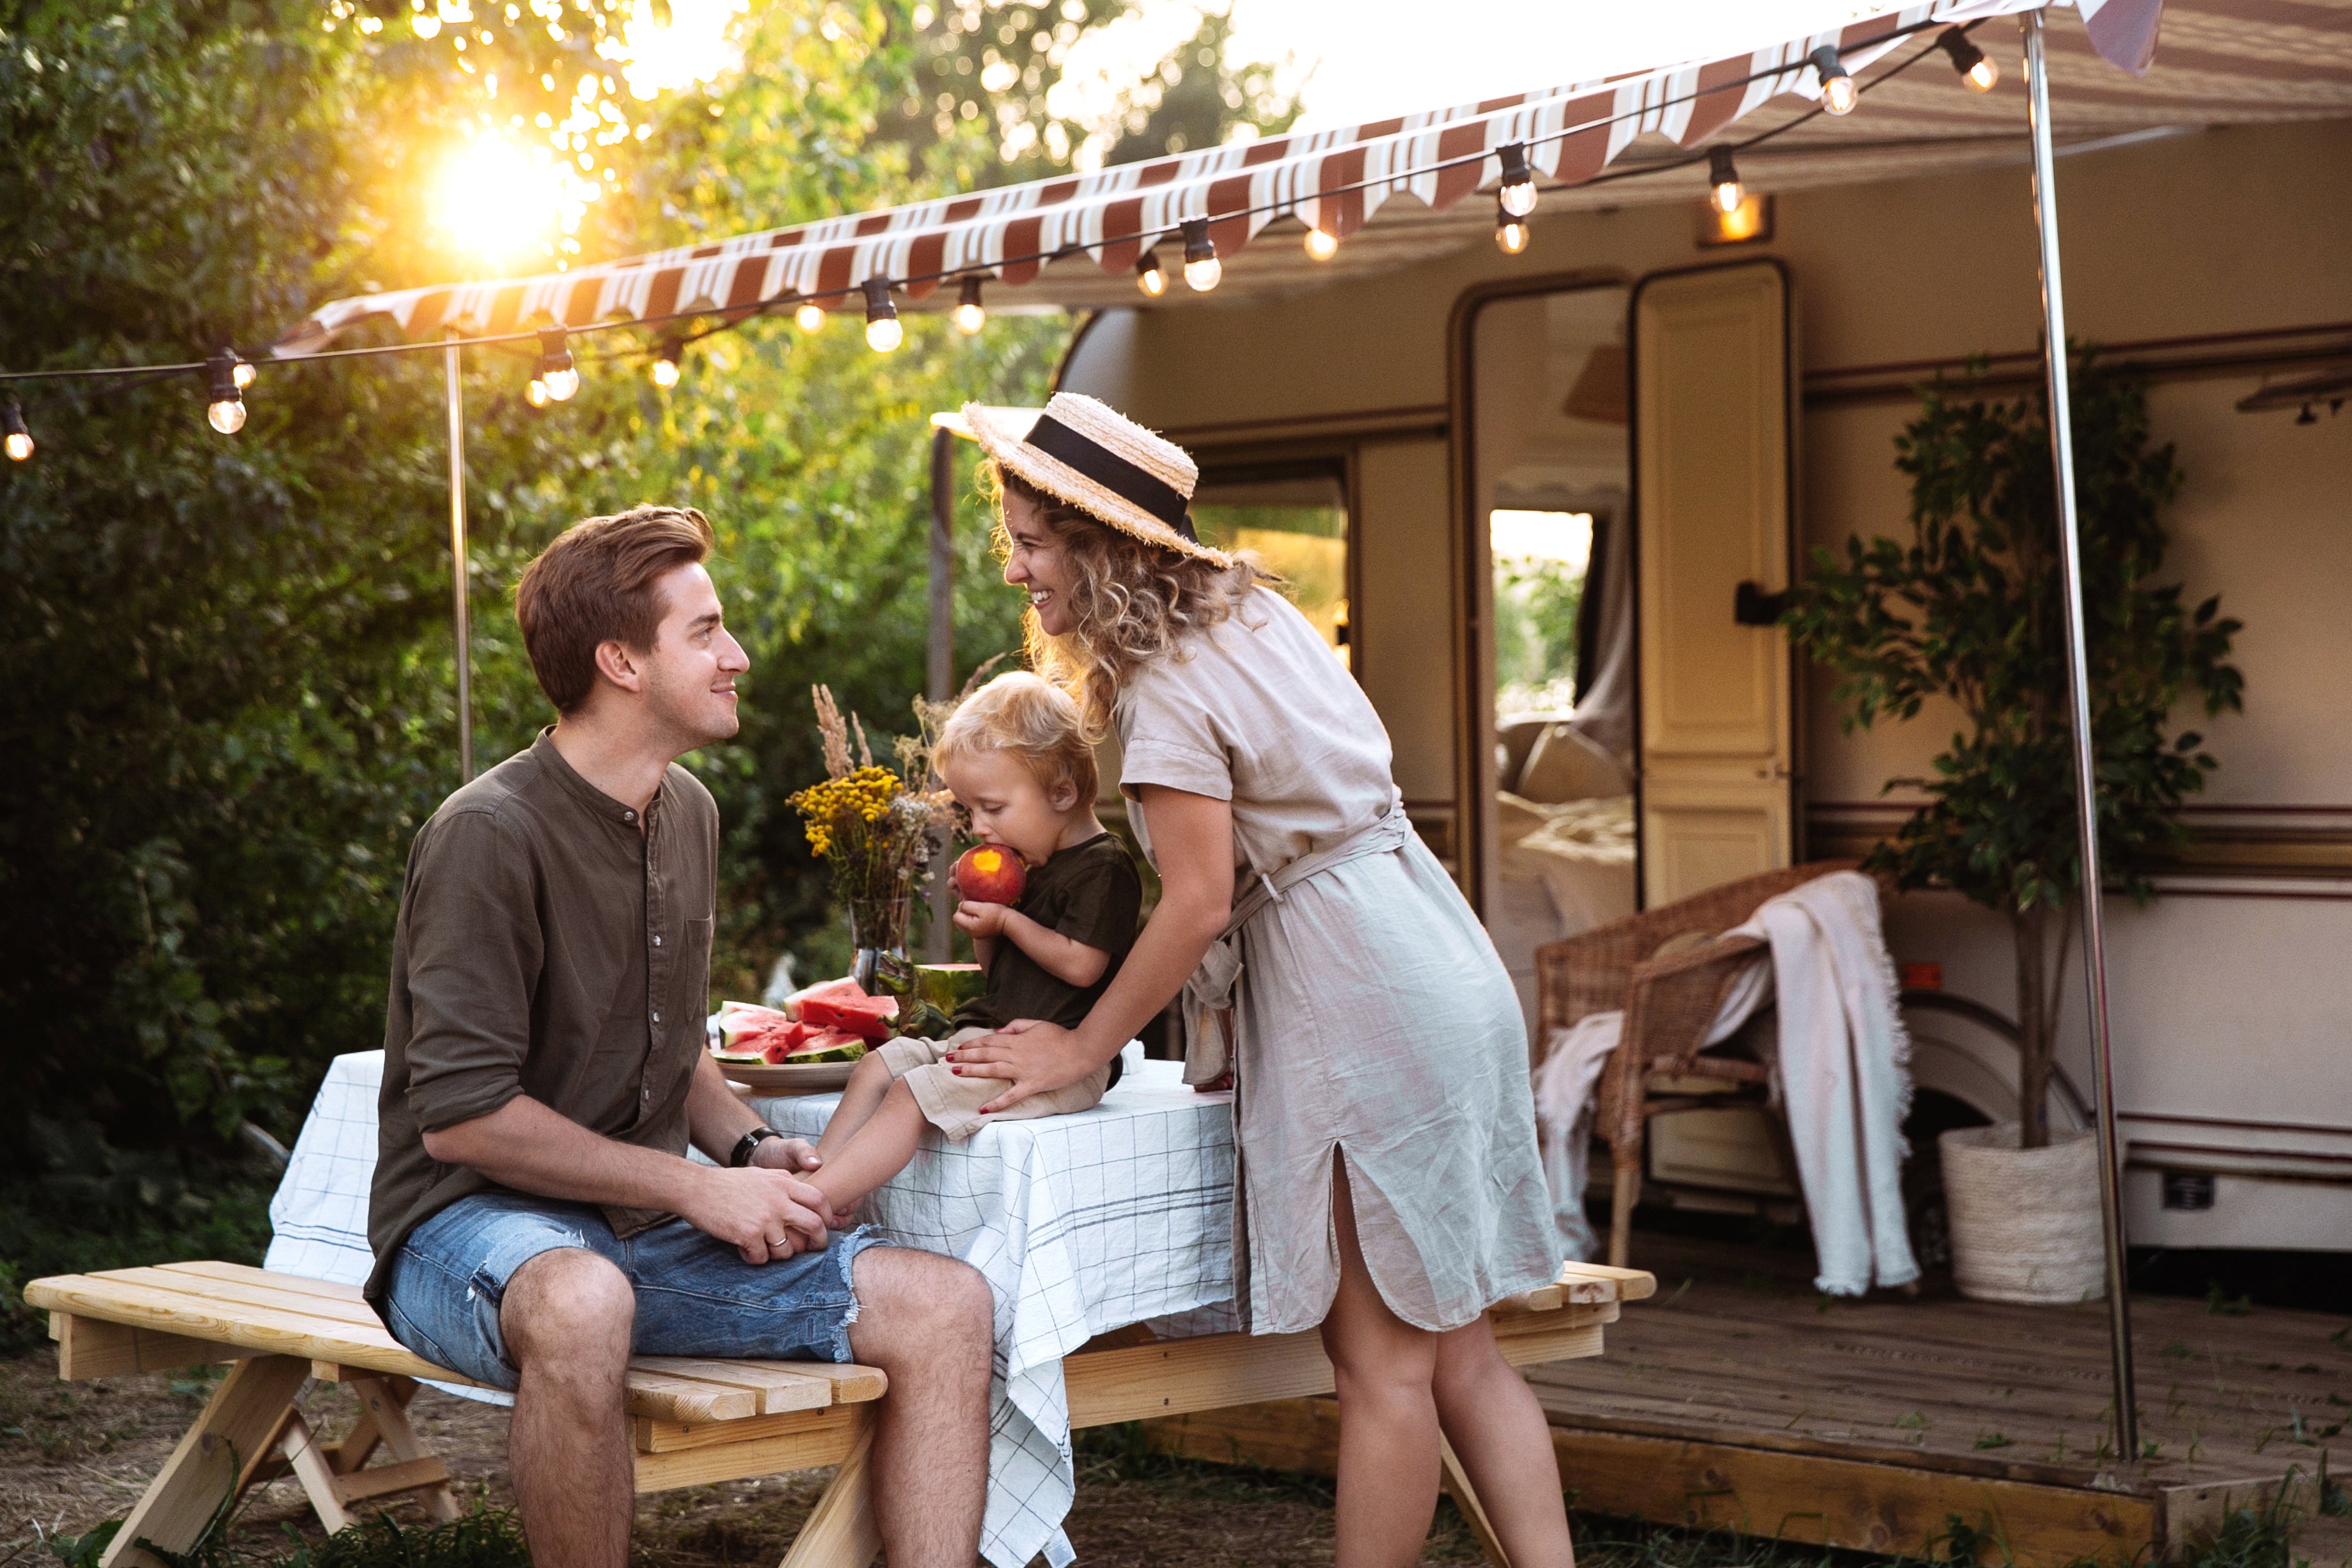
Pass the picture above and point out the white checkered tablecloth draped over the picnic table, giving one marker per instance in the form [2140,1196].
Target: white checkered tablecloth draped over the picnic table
[1081,1226]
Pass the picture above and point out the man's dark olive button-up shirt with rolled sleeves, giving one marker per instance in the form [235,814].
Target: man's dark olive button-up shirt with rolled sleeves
[549,946]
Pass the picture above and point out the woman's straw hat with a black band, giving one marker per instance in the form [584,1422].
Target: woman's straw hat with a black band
[1097,460]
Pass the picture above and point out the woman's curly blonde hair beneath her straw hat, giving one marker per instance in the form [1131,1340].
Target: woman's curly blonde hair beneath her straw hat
[1132,601]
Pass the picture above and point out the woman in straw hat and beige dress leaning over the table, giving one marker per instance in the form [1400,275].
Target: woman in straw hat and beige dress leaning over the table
[1389,1177]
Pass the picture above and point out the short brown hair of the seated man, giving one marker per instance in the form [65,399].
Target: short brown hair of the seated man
[594,587]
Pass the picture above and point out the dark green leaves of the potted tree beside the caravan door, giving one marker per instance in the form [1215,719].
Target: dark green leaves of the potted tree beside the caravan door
[1972,612]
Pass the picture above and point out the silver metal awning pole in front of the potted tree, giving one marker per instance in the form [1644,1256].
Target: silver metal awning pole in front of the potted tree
[2094,946]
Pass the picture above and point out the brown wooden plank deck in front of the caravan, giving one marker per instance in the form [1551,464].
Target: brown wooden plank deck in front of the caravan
[1739,1398]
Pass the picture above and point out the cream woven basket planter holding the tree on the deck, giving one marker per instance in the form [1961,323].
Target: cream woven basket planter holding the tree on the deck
[2024,1221]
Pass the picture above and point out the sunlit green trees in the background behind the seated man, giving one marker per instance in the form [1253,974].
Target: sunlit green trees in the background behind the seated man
[227,659]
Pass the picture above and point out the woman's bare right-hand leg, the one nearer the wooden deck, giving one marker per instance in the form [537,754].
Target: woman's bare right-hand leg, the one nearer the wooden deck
[1506,1447]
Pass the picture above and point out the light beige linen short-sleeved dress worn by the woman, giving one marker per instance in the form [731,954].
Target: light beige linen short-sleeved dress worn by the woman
[1375,1014]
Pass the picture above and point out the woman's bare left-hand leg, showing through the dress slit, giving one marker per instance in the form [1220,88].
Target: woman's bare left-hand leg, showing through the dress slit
[1387,1412]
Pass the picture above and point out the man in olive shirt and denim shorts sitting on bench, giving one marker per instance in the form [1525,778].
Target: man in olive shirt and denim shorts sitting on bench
[535,1219]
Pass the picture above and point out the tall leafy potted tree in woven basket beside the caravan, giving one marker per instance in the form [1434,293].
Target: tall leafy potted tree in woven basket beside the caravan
[1972,612]
